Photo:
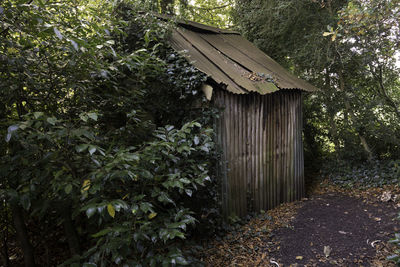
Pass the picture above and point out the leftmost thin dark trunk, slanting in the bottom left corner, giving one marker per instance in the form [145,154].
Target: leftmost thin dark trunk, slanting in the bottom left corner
[22,235]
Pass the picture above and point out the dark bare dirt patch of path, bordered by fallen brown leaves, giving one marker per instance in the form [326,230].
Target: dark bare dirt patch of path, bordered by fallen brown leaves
[335,229]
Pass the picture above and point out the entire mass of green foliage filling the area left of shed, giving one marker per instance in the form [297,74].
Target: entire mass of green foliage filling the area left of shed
[106,144]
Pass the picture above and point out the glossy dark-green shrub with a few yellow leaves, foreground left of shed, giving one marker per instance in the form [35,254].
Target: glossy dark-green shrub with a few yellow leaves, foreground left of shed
[133,195]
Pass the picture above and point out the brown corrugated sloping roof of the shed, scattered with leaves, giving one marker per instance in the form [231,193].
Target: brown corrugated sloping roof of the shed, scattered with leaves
[232,61]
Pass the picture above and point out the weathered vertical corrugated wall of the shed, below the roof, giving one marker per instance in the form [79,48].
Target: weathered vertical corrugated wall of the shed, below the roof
[262,159]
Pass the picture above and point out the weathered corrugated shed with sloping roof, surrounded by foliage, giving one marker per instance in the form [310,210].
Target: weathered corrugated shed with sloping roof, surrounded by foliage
[260,125]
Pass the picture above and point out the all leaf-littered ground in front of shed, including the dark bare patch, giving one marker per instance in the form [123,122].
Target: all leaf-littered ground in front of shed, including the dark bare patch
[331,227]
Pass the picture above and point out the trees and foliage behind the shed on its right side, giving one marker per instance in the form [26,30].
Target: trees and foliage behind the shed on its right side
[348,49]
